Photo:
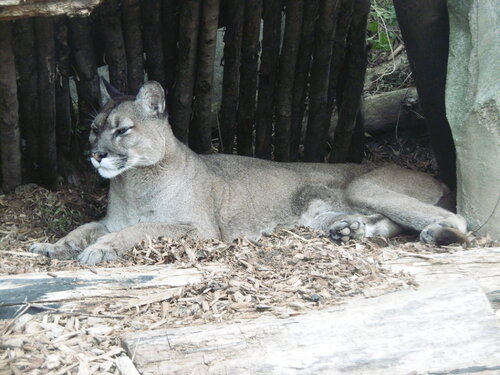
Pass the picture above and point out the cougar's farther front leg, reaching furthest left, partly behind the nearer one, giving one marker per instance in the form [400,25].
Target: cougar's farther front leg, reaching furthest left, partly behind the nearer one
[73,243]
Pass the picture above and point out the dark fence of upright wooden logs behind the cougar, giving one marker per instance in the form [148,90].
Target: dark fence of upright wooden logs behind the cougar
[287,67]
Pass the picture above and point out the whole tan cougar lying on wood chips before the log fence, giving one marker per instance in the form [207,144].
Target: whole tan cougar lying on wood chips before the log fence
[159,187]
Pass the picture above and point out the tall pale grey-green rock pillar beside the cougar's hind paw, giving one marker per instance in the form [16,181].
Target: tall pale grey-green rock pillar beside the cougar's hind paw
[472,106]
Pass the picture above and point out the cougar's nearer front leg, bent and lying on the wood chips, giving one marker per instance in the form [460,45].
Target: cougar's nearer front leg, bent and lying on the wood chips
[115,244]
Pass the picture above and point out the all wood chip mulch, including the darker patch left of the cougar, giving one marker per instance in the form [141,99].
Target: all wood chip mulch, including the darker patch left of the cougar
[287,273]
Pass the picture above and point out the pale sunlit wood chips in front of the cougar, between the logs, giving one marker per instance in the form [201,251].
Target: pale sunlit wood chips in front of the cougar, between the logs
[287,273]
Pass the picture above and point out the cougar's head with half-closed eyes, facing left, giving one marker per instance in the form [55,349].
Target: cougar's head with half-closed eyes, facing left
[129,132]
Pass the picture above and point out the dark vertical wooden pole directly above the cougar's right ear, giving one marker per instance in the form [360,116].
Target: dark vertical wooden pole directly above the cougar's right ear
[153,43]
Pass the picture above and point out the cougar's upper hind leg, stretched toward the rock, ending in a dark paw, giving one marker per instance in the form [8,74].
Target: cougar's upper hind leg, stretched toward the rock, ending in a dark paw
[435,224]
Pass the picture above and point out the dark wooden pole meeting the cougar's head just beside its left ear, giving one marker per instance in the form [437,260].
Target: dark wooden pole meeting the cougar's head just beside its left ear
[114,45]
